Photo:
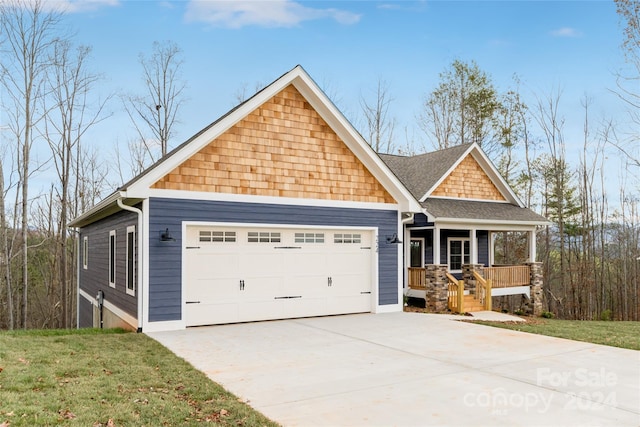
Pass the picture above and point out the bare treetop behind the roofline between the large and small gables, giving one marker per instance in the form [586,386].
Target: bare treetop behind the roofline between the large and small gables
[379,125]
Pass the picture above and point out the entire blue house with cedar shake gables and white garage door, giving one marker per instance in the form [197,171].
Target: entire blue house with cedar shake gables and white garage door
[280,209]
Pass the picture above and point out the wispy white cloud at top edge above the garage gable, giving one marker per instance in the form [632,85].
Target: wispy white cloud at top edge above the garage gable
[273,13]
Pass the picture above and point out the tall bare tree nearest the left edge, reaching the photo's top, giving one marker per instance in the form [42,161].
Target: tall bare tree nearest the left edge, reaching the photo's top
[30,33]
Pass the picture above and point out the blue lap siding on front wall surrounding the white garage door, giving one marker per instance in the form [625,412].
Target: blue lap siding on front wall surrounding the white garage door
[165,258]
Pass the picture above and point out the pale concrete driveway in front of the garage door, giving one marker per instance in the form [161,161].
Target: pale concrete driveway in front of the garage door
[411,369]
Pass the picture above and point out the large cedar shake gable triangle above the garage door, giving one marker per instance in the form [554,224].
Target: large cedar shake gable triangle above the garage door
[283,149]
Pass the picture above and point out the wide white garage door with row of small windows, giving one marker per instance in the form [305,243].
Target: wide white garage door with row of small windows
[238,274]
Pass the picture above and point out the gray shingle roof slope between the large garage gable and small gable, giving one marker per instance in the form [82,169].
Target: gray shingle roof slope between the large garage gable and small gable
[420,173]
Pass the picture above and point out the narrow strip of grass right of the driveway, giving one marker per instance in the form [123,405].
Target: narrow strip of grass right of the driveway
[613,333]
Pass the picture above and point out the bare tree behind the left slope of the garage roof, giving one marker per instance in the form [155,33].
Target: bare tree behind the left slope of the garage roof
[155,113]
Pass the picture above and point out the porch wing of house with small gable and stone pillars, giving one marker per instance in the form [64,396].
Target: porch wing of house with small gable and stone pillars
[466,205]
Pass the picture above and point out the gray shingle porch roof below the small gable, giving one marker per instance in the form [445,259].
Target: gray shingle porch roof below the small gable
[466,209]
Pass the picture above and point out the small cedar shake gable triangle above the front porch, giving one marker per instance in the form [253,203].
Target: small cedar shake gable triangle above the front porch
[468,181]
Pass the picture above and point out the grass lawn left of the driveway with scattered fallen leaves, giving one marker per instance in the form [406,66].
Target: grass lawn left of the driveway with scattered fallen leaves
[105,378]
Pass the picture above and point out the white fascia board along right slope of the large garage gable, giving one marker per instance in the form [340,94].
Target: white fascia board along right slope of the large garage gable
[356,143]
